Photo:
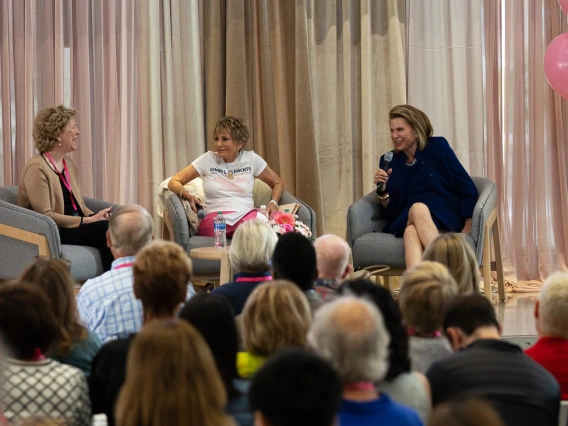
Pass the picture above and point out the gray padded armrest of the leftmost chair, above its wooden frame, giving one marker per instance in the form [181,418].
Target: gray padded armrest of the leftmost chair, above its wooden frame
[30,221]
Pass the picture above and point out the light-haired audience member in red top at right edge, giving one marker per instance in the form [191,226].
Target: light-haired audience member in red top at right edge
[551,314]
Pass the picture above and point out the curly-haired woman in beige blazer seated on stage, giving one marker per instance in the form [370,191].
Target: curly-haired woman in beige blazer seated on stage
[49,183]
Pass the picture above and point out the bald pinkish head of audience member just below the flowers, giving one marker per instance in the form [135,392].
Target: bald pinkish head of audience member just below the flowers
[332,254]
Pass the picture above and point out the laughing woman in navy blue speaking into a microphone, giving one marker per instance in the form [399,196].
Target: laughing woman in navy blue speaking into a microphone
[426,190]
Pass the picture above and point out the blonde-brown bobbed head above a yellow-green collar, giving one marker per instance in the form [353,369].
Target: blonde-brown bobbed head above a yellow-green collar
[276,315]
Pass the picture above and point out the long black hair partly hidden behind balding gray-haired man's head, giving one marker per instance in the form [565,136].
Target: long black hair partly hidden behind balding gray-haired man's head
[399,360]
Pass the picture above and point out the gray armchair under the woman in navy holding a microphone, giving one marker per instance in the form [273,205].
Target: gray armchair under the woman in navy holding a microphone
[370,246]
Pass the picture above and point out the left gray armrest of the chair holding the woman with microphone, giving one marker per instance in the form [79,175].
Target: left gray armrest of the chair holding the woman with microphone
[365,216]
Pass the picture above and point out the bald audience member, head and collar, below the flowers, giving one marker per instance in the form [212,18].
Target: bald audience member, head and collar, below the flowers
[332,254]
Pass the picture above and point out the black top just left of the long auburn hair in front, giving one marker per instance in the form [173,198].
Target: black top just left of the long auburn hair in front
[108,372]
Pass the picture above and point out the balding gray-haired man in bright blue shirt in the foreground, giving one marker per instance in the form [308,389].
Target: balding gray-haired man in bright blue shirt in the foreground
[350,334]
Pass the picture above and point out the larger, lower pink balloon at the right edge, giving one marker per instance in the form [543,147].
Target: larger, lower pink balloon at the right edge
[556,65]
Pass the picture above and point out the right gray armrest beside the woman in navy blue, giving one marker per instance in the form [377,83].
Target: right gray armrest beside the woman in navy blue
[485,204]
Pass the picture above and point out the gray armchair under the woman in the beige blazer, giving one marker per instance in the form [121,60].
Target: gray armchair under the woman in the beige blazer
[25,234]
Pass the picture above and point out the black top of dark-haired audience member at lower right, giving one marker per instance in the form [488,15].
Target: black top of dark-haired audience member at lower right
[521,390]
